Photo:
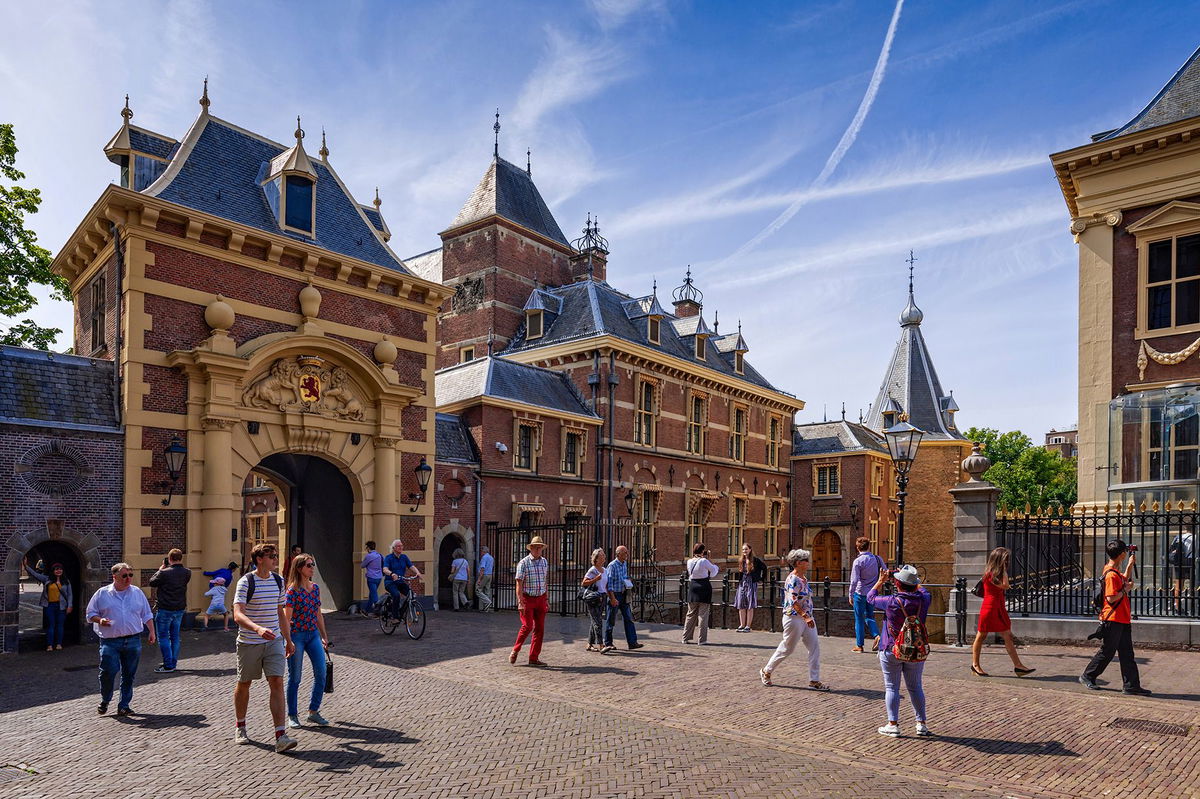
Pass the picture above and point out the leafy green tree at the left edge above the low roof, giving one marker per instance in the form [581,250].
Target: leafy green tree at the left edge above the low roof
[23,263]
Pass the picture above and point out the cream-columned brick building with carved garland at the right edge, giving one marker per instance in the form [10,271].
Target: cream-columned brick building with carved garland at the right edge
[1132,197]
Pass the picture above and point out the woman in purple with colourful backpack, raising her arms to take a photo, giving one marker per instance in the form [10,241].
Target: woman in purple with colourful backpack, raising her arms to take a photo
[904,645]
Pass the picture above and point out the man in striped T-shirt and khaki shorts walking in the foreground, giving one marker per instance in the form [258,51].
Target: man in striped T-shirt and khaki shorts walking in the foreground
[265,642]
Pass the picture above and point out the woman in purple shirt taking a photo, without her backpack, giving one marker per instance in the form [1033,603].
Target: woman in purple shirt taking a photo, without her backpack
[910,599]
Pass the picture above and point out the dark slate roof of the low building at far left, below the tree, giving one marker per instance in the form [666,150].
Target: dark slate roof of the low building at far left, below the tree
[56,389]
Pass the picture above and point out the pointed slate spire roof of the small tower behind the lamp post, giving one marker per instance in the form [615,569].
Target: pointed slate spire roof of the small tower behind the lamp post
[911,383]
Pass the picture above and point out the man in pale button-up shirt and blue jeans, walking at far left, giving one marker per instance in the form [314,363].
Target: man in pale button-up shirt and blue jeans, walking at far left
[117,614]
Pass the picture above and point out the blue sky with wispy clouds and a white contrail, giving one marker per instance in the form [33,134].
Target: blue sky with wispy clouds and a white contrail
[793,154]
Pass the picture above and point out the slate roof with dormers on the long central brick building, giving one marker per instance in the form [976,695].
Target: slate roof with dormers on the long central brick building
[593,309]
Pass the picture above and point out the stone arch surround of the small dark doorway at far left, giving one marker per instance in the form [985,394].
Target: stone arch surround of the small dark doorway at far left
[94,574]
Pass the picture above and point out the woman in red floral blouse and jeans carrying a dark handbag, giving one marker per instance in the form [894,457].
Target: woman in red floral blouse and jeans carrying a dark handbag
[303,610]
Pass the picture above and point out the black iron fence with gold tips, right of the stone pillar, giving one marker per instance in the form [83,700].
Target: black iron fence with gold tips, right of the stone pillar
[1059,560]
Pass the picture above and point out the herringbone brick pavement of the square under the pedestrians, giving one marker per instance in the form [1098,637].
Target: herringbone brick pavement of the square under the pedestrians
[449,717]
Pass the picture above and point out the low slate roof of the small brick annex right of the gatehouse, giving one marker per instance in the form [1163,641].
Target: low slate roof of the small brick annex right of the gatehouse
[497,377]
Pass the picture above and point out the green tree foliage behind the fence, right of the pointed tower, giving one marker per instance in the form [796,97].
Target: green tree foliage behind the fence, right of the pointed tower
[1025,473]
